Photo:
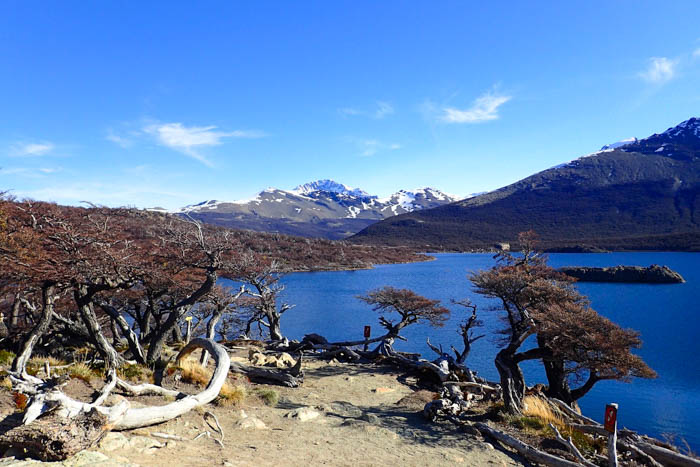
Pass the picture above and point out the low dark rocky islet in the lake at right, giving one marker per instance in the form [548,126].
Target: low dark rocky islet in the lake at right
[653,274]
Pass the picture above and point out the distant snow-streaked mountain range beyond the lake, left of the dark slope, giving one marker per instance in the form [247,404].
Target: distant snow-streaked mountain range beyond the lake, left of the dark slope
[322,208]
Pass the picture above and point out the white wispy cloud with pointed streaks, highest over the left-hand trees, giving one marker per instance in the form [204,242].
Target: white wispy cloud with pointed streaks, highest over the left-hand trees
[188,140]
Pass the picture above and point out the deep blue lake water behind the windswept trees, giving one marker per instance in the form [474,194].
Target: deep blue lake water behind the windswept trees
[666,315]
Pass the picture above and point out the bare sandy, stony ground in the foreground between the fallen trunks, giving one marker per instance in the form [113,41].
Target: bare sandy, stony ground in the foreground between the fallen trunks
[342,415]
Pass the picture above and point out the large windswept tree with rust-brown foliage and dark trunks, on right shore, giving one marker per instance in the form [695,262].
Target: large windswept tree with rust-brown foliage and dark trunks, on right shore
[571,337]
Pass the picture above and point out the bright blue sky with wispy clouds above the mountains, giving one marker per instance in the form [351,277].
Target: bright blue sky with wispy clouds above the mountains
[170,103]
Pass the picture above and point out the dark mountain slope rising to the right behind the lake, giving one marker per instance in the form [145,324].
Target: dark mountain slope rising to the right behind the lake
[643,194]
